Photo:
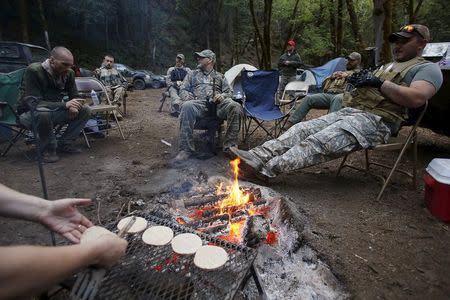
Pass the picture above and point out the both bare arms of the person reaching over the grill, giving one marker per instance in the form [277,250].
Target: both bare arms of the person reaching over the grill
[27,270]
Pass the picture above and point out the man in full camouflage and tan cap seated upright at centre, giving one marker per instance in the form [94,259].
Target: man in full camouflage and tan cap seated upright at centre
[201,89]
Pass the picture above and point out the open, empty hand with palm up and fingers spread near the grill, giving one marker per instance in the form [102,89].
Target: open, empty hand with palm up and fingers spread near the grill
[62,217]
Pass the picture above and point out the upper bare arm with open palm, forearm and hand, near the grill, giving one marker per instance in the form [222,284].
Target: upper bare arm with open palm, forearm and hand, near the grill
[60,216]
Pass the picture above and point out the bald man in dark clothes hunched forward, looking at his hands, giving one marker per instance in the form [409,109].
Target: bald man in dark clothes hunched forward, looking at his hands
[53,82]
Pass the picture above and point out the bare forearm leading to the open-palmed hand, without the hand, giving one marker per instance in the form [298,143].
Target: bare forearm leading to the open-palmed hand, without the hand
[19,205]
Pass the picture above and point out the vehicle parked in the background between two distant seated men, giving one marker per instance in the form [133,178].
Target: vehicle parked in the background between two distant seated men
[140,79]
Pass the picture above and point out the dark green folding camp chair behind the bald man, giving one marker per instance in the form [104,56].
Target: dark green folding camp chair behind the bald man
[9,93]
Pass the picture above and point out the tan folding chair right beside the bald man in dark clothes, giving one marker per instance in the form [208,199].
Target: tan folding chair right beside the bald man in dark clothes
[85,85]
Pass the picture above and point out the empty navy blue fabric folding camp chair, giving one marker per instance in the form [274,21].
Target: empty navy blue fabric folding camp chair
[260,88]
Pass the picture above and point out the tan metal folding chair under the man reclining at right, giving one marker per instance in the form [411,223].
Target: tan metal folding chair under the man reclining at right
[394,143]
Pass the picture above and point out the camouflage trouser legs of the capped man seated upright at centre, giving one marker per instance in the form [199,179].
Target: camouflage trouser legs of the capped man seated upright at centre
[191,110]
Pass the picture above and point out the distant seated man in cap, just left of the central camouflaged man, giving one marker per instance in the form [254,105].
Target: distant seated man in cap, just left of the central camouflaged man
[174,78]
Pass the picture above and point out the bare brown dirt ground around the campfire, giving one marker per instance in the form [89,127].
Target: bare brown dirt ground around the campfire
[388,249]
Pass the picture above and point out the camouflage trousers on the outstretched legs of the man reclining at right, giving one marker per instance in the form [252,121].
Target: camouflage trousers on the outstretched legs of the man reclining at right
[319,140]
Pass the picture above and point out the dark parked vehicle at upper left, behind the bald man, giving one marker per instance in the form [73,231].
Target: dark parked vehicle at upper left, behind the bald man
[15,56]
